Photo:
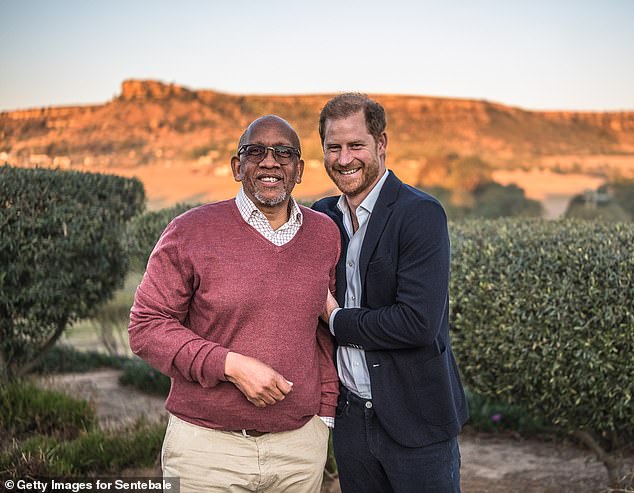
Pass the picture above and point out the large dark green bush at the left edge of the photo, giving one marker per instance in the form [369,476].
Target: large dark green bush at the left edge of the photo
[60,254]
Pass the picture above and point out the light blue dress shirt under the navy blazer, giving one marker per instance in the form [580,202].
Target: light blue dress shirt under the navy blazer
[351,364]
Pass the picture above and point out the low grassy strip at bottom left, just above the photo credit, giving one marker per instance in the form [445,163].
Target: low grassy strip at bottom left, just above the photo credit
[95,452]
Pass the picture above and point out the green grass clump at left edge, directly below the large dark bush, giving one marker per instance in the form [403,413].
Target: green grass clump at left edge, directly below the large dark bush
[26,409]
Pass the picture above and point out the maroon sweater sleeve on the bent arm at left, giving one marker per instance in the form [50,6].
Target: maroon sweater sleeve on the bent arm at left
[161,304]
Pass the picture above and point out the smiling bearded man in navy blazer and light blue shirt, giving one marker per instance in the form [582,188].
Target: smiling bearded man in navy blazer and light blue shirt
[402,404]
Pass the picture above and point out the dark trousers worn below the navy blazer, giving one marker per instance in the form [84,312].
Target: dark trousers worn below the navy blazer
[369,461]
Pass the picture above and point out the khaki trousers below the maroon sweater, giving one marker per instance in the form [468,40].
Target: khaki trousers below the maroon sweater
[208,460]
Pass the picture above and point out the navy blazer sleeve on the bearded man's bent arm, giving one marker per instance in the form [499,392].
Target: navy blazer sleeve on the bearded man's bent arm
[413,318]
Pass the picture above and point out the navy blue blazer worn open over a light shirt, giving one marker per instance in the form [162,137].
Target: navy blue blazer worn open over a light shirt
[403,322]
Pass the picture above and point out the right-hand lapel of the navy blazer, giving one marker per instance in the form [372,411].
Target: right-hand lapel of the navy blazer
[378,219]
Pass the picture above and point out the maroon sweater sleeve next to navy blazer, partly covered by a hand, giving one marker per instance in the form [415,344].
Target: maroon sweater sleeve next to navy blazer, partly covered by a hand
[325,344]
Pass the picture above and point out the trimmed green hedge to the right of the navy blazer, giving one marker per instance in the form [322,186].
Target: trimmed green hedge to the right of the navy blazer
[542,317]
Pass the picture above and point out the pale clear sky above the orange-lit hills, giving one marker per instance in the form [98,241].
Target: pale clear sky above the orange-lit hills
[535,54]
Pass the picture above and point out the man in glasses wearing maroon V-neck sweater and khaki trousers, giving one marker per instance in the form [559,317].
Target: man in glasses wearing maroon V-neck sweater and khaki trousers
[228,308]
